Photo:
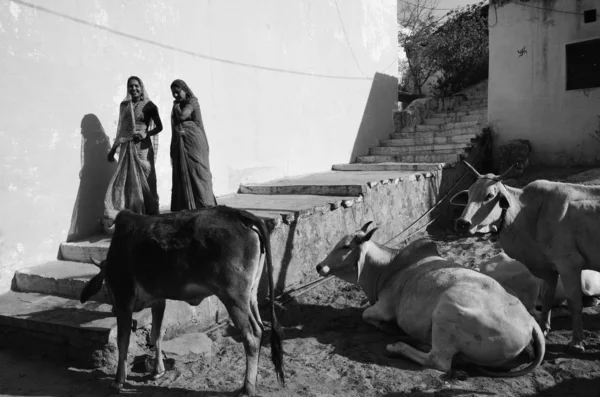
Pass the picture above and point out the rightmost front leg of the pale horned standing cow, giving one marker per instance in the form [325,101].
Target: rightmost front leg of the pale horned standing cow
[571,278]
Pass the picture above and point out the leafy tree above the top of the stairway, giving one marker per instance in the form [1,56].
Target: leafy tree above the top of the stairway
[449,55]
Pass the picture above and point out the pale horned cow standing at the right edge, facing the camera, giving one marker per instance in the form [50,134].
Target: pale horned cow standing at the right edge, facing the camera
[550,227]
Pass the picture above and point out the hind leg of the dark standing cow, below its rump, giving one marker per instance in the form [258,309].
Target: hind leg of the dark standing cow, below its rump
[241,314]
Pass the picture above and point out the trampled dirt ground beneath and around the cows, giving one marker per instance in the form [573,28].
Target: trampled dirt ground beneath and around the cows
[329,351]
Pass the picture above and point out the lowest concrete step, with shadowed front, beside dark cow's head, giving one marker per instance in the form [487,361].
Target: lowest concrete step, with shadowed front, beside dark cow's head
[83,332]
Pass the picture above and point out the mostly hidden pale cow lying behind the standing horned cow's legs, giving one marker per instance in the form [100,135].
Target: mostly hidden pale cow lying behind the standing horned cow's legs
[517,279]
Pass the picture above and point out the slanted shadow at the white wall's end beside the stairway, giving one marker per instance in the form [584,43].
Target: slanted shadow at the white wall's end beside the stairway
[377,121]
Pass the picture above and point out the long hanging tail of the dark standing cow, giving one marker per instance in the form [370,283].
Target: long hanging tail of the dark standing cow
[276,330]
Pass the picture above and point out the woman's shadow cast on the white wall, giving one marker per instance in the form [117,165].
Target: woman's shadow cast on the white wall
[94,176]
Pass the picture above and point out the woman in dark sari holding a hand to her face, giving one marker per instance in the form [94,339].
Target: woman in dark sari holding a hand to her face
[192,179]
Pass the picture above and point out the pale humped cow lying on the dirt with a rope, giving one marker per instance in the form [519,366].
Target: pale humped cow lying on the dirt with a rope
[458,311]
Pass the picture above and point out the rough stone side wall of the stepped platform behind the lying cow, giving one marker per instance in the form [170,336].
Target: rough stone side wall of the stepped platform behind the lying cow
[392,205]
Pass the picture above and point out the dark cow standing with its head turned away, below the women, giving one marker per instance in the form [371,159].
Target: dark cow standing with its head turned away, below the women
[189,256]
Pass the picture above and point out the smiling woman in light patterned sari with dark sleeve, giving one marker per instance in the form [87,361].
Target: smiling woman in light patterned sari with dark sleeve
[133,186]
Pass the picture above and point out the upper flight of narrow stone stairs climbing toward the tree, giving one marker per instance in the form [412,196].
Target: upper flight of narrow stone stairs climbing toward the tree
[430,133]
